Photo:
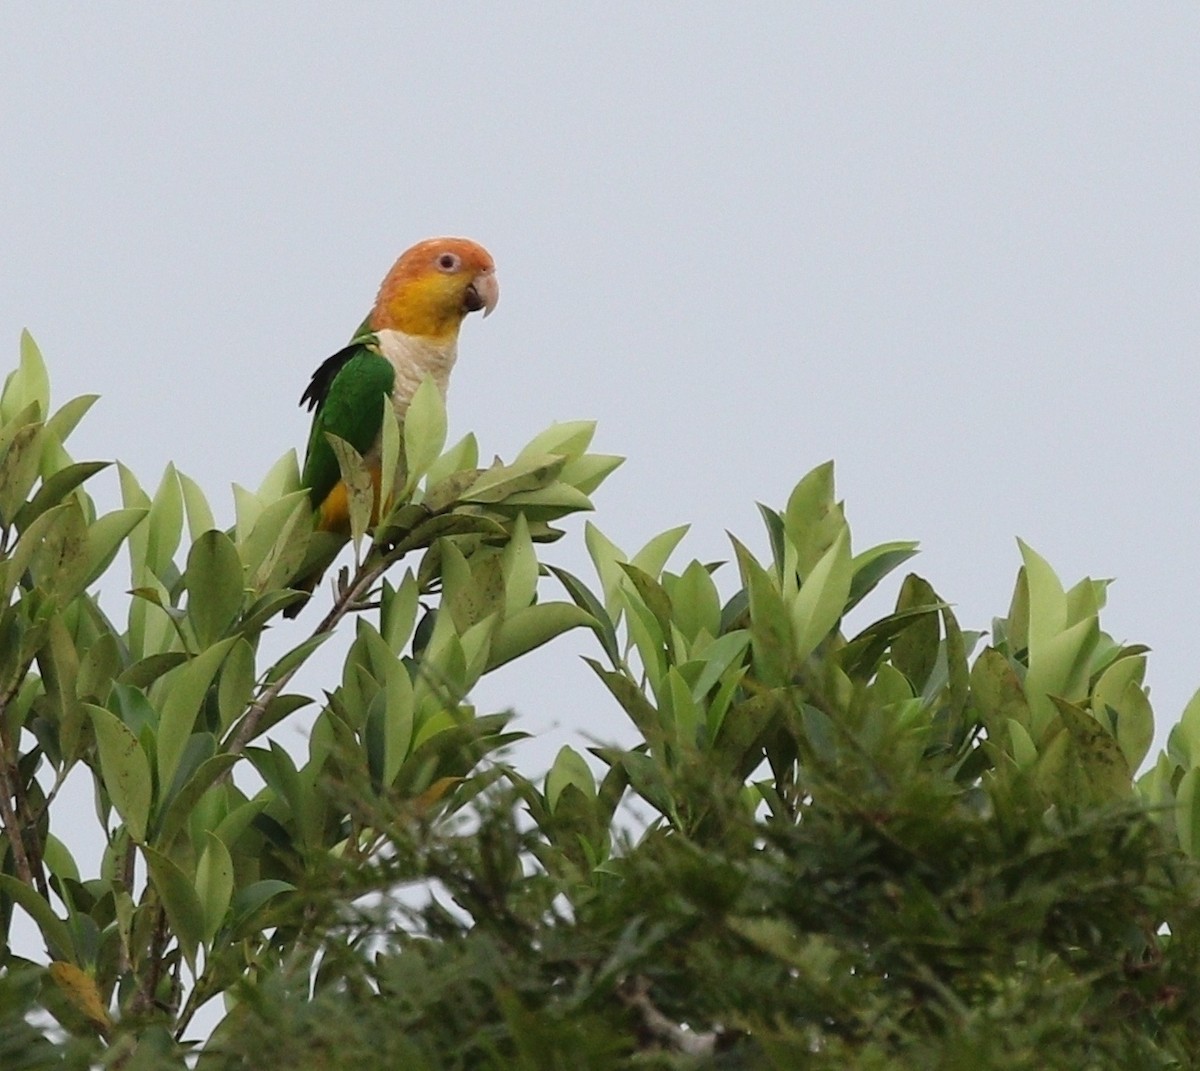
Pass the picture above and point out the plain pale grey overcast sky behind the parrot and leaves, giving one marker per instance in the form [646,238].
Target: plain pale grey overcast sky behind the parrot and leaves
[956,248]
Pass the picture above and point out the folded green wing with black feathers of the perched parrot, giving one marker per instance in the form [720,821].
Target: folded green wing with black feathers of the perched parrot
[346,393]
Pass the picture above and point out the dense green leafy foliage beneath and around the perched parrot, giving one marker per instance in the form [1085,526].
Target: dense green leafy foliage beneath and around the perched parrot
[886,846]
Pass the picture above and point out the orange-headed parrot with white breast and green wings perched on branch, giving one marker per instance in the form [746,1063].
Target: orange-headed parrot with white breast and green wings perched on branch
[411,333]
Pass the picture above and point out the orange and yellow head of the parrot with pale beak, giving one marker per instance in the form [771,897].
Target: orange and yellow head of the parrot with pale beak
[434,286]
